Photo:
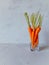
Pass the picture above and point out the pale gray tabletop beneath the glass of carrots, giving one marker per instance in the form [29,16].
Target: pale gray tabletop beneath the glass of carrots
[20,54]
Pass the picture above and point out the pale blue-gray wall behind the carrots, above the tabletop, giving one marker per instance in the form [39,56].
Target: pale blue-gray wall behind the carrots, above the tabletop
[13,26]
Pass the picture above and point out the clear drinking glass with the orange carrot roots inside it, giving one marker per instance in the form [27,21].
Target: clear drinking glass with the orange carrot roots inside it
[34,38]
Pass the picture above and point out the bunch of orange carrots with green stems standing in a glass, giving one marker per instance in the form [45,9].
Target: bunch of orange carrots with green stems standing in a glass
[34,28]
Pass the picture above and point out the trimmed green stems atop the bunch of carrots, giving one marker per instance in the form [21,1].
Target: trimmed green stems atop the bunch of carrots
[35,19]
